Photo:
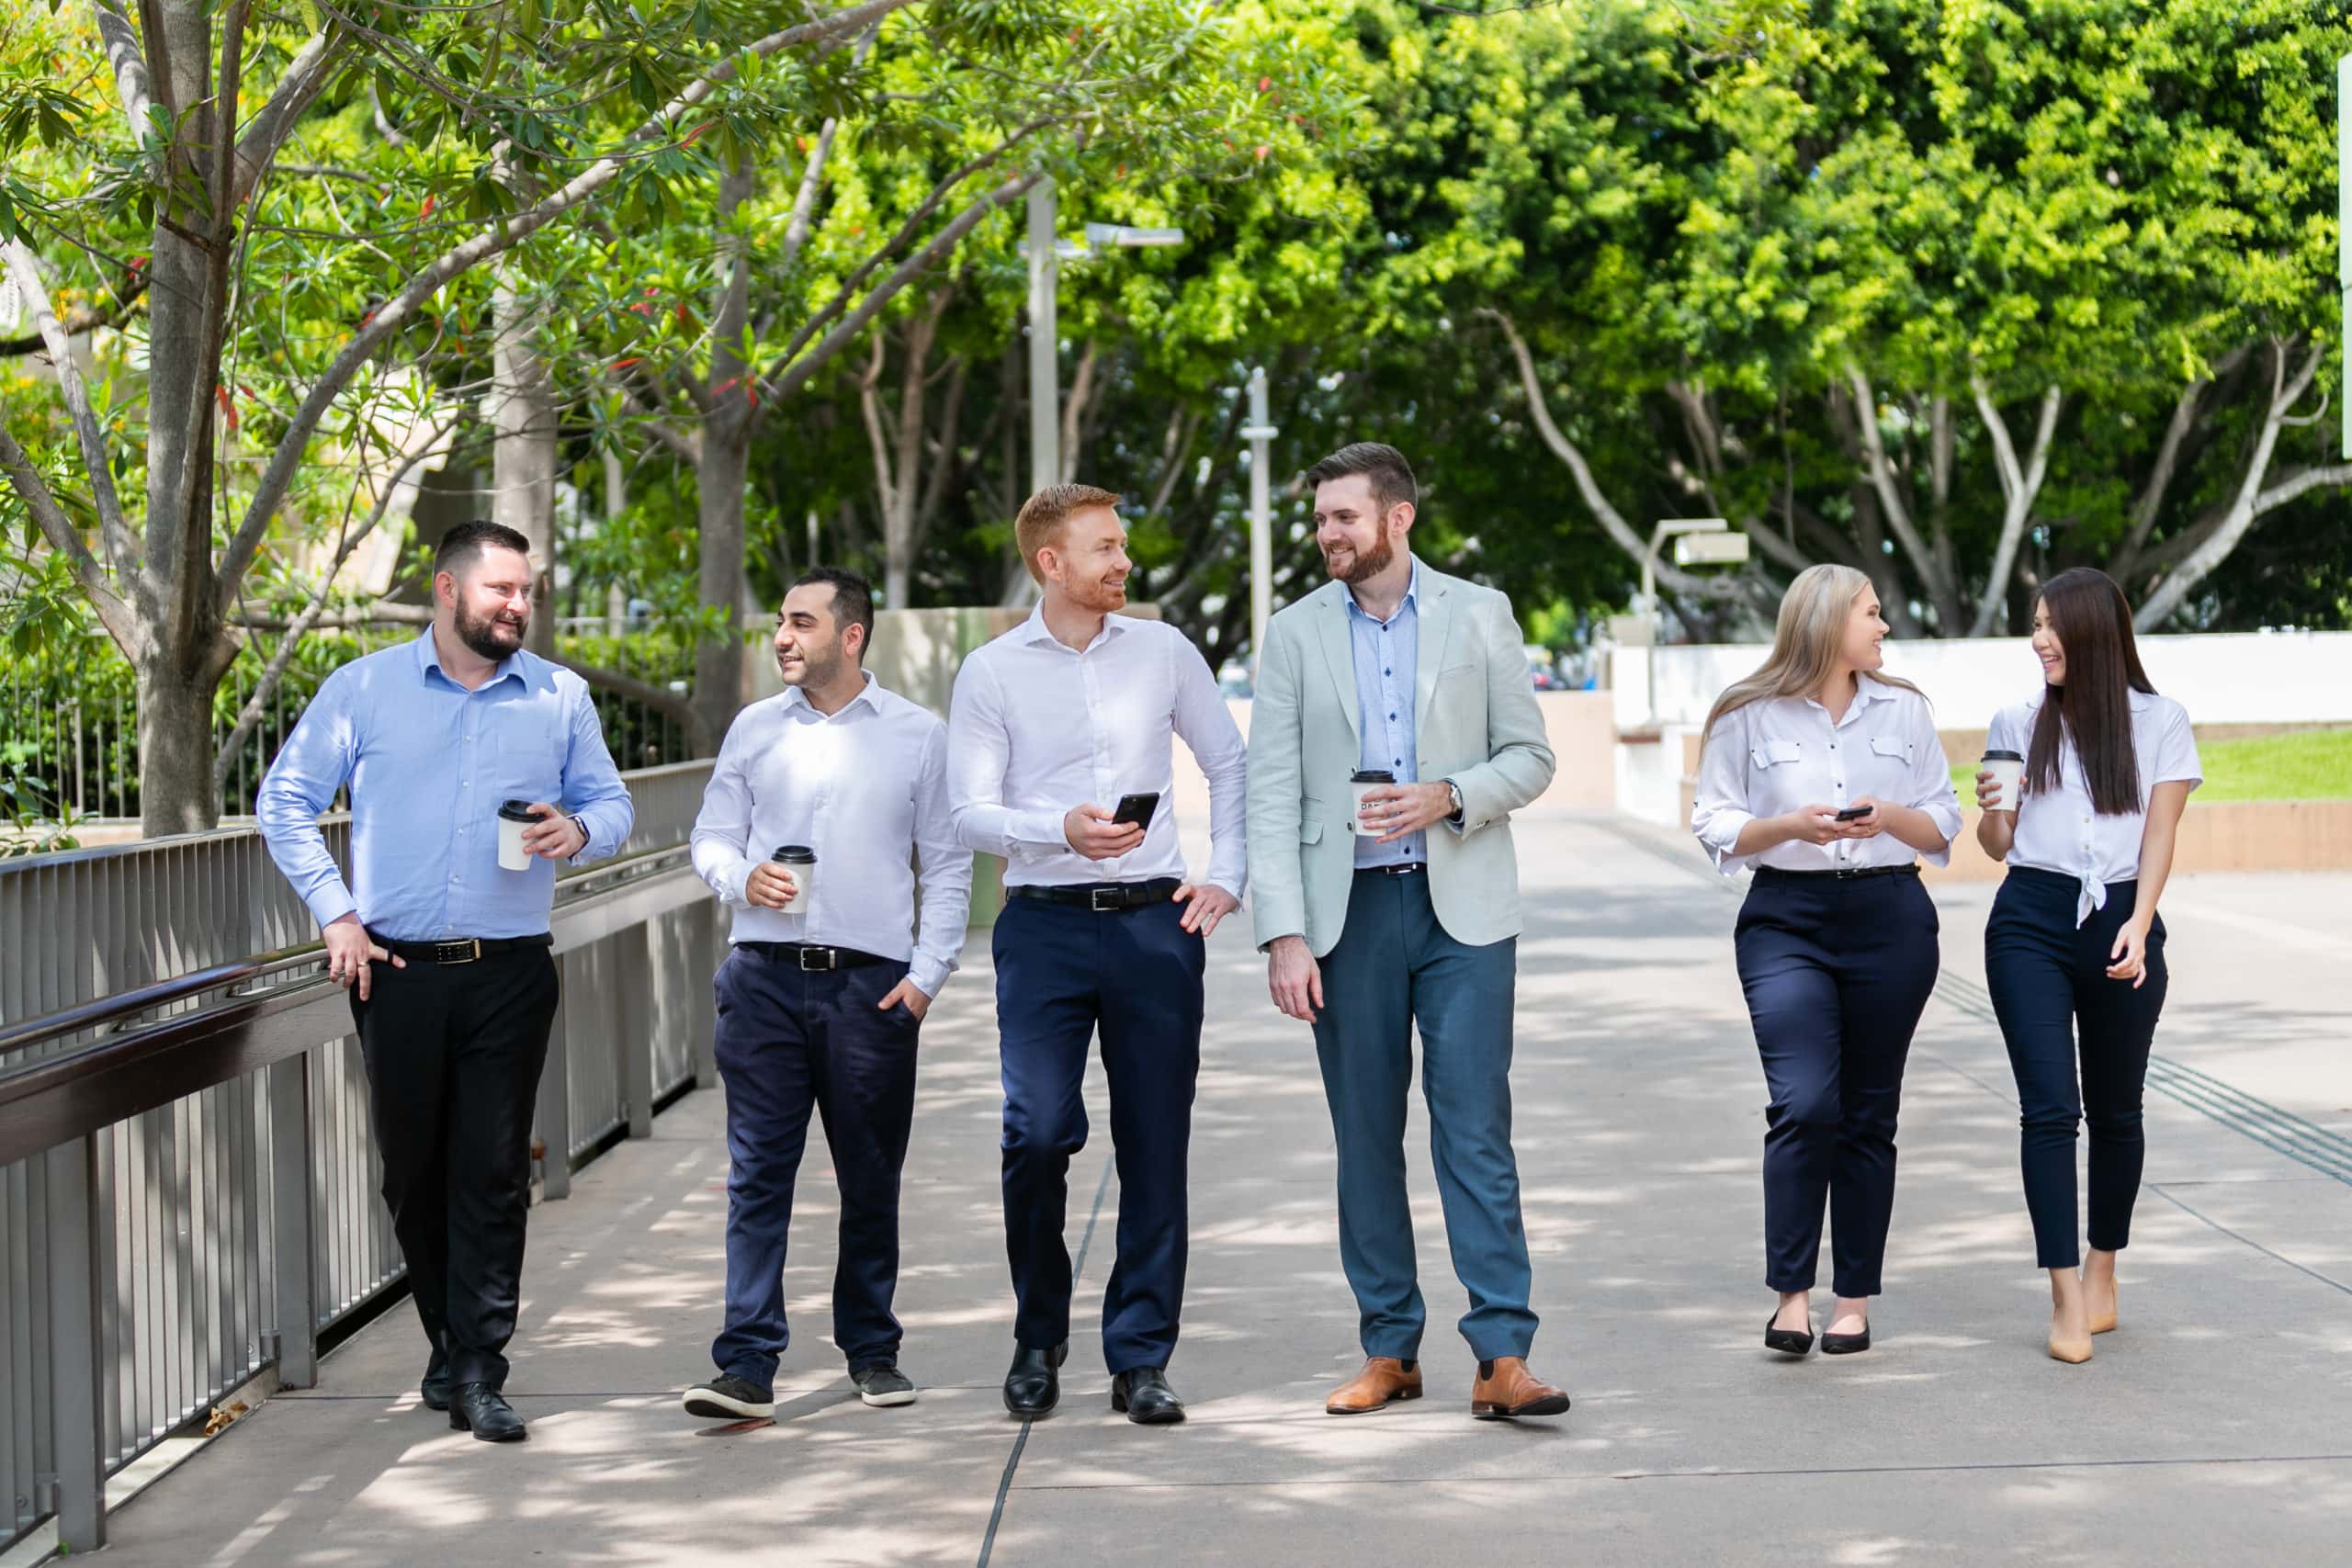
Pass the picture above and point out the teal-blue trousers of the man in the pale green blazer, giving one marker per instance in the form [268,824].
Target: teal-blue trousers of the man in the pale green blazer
[1396,967]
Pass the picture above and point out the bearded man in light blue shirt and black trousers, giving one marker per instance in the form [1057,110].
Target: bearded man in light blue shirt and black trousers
[446,951]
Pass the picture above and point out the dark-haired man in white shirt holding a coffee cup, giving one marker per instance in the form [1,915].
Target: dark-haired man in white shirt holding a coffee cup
[815,810]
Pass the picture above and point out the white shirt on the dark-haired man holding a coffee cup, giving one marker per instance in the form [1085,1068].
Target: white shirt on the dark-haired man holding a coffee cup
[867,789]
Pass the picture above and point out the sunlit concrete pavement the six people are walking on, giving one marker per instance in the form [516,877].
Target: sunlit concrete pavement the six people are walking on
[2210,1428]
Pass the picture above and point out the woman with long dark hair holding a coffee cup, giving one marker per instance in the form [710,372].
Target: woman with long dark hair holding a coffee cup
[2076,946]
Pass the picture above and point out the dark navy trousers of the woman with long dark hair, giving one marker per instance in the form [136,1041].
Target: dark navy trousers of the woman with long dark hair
[2054,1000]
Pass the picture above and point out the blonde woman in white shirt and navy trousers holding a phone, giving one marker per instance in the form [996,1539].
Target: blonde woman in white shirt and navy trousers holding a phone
[1829,779]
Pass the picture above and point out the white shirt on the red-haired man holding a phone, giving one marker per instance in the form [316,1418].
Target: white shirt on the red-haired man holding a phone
[1041,728]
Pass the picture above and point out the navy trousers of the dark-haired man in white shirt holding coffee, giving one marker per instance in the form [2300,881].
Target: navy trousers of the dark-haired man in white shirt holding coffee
[791,1043]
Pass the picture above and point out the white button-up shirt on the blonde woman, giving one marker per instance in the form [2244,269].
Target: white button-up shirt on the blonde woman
[1784,753]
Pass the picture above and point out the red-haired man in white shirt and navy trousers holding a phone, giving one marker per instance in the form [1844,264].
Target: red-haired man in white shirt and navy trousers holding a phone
[1053,728]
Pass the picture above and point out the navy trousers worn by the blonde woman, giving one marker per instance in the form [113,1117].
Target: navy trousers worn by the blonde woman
[1838,974]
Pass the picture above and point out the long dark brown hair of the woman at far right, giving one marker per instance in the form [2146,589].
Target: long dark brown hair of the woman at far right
[2092,622]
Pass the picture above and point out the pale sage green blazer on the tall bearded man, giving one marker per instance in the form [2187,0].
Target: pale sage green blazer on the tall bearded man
[1476,723]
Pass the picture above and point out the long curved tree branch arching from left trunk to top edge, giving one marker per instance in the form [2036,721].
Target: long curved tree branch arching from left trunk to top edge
[495,239]
